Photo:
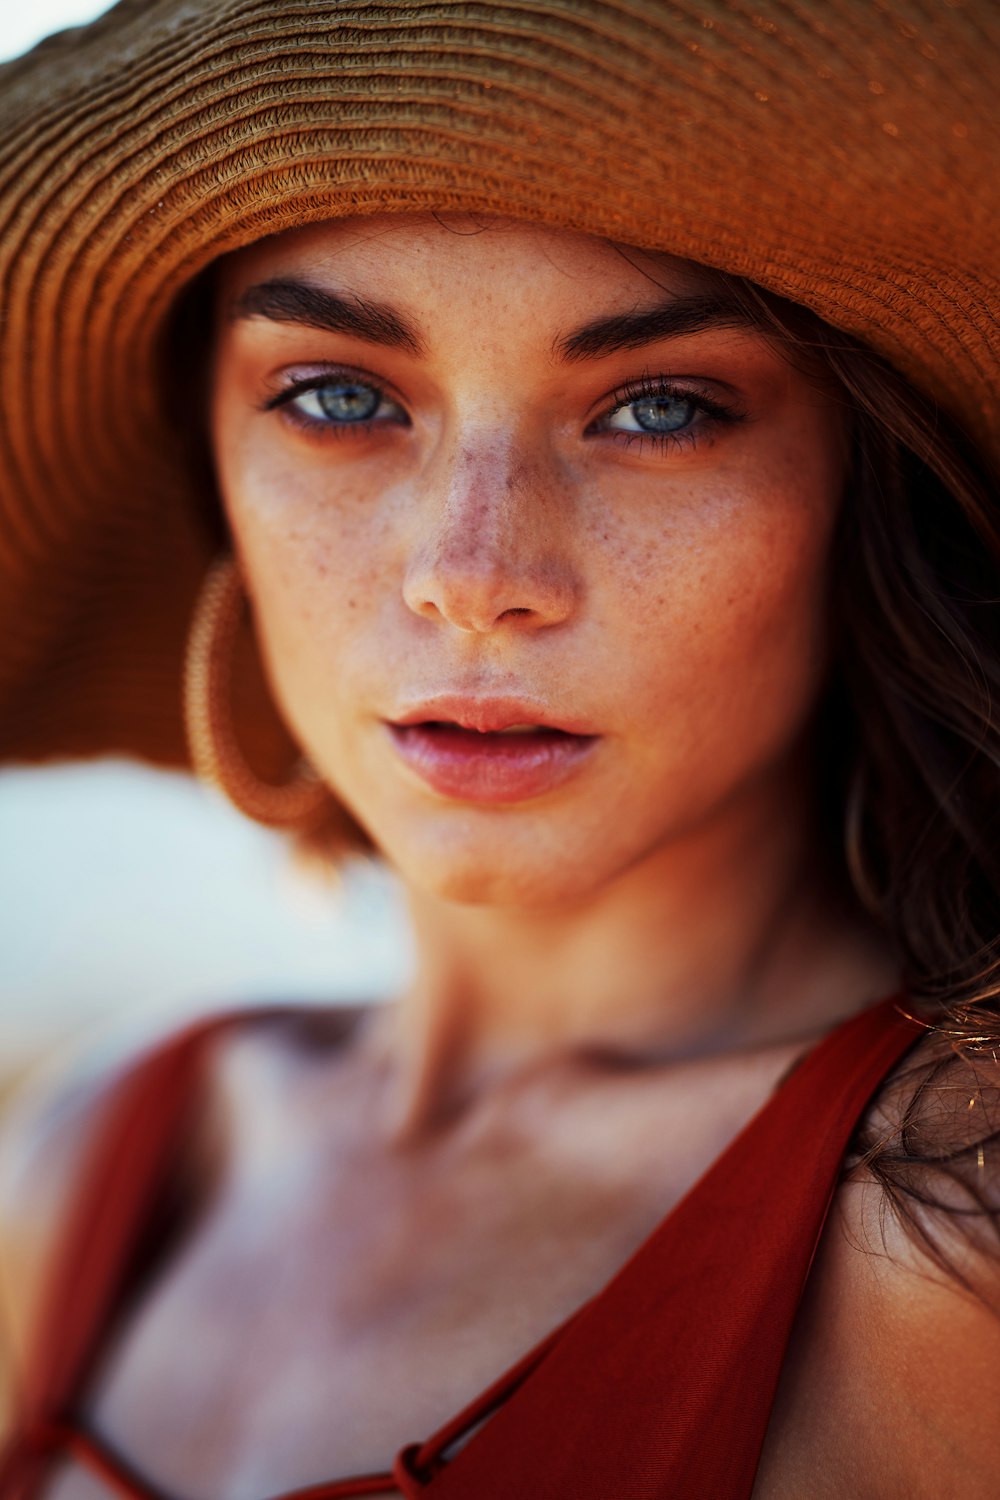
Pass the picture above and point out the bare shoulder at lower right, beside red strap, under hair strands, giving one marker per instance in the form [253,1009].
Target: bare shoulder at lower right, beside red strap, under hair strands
[893,1379]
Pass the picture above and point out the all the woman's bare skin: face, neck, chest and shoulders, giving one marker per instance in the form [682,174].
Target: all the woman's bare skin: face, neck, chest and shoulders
[614,971]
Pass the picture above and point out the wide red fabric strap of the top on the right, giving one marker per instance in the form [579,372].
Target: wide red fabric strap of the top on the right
[662,1387]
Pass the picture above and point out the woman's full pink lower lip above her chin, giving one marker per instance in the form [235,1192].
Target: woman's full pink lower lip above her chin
[491,769]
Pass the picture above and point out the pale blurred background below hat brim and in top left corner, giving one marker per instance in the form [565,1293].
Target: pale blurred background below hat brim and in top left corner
[131,899]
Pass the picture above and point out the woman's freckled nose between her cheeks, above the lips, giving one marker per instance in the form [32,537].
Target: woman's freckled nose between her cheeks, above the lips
[494,547]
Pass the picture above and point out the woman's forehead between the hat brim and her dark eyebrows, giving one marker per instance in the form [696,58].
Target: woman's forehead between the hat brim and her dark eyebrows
[415,260]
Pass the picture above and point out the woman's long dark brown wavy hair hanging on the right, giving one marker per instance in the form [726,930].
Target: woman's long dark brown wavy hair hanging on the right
[914,758]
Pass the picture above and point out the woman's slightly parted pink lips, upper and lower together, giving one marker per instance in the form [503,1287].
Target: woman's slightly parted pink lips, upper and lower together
[500,758]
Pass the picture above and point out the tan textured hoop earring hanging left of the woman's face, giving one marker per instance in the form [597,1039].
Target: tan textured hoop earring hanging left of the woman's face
[301,803]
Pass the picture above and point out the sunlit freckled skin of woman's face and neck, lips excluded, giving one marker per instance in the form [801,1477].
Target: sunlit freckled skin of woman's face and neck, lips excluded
[504,527]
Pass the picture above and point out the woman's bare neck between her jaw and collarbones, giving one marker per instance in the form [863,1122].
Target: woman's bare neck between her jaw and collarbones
[735,935]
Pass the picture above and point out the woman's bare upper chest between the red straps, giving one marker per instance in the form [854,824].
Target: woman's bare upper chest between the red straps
[337,1303]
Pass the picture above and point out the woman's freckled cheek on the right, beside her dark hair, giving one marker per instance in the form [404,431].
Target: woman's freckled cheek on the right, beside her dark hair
[725,610]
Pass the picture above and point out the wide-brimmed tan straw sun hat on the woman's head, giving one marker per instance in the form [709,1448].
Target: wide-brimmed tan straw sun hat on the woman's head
[837,152]
